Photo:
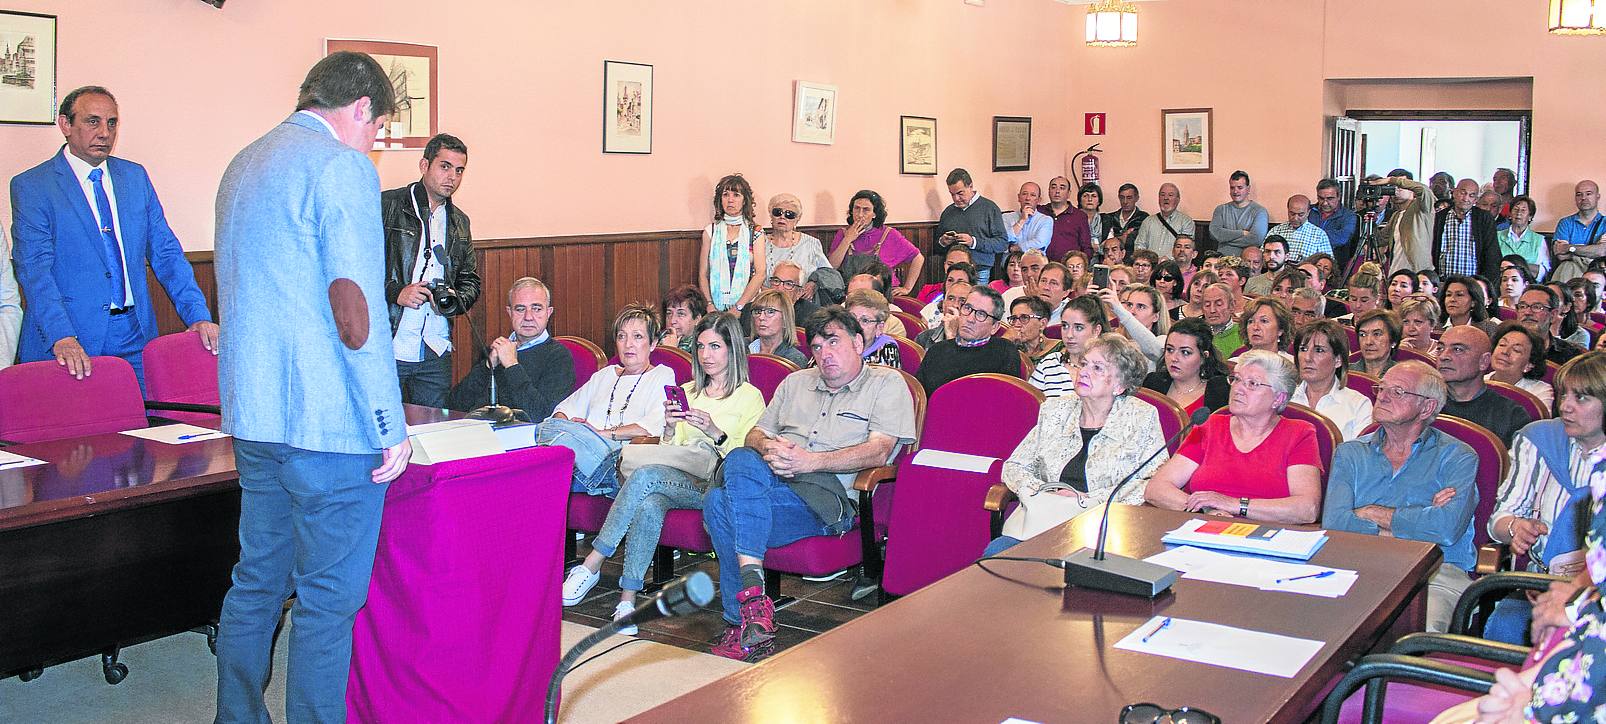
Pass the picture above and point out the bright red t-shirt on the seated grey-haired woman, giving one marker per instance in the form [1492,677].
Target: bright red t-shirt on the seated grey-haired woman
[1262,473]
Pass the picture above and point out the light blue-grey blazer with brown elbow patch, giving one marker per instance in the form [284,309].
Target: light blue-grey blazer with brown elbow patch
[306,340]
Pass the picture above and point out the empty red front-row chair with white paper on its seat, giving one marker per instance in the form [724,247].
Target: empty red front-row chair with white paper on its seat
[939,524]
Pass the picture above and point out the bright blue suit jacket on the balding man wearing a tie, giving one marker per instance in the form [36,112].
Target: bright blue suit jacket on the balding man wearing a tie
[62,270]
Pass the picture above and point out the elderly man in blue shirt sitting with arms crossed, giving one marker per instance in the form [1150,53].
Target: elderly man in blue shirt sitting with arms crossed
[1411,481]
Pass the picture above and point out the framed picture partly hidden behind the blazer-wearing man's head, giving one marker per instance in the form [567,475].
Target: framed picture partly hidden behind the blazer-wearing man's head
[415,75]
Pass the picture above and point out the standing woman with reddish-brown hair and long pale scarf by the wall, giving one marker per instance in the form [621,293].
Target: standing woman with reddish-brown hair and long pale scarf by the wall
[733,254]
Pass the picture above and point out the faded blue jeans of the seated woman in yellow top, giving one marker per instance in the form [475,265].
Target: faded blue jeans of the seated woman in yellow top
[643,502]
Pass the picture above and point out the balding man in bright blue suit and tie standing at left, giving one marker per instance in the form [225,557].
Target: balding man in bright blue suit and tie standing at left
[86,224]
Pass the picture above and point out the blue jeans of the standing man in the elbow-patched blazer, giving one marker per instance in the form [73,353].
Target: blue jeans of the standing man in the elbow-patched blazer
[309,524]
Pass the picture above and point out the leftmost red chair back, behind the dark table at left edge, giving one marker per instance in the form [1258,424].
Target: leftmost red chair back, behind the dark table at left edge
[43,402]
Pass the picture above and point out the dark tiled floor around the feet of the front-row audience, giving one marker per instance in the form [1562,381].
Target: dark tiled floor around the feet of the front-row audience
[818,608]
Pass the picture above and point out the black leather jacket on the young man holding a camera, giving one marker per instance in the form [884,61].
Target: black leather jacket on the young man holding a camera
[399,209]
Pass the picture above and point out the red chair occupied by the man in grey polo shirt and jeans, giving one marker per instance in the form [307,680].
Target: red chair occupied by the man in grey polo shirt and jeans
[862,545]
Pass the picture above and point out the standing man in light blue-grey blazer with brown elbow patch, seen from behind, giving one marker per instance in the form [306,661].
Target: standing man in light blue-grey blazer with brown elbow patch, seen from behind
[309,388]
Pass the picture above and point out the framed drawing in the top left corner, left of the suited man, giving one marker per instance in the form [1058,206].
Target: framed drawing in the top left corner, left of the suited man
[28,68]
